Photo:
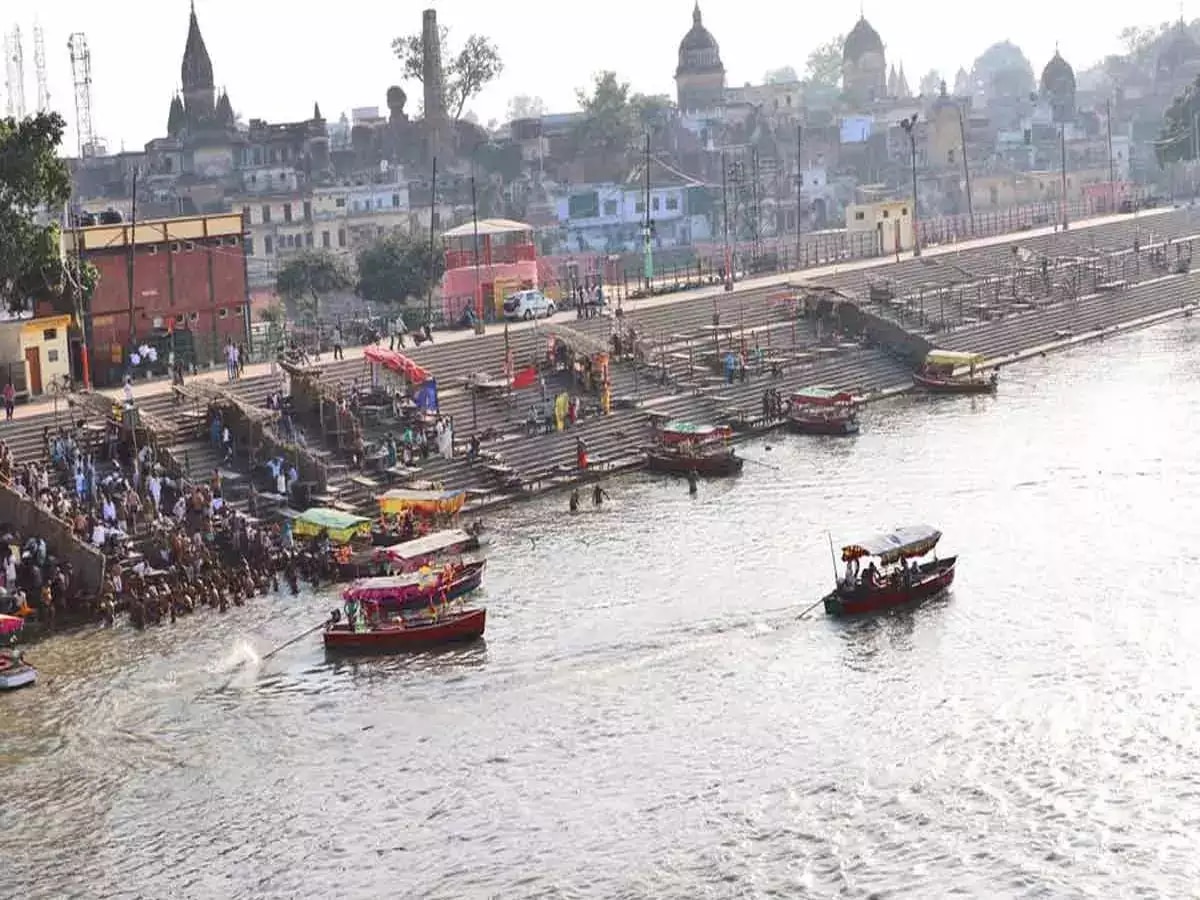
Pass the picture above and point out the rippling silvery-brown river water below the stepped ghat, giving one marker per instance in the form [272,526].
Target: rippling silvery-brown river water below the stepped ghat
[651,719]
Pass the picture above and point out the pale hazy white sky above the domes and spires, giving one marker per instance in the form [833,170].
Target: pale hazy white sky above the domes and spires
[277,59]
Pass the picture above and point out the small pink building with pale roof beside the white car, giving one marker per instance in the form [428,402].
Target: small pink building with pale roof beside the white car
[507,262]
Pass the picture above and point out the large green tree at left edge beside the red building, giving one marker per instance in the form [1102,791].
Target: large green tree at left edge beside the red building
[33,179]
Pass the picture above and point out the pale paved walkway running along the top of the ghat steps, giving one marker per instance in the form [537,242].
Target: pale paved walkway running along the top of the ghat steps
[163,386]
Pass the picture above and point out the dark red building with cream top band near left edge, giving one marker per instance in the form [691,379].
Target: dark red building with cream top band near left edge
[189,279]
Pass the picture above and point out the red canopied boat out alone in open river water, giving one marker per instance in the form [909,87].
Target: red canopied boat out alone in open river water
[890,581]
